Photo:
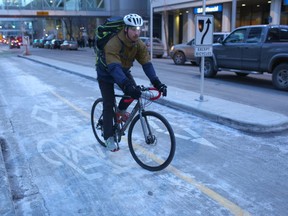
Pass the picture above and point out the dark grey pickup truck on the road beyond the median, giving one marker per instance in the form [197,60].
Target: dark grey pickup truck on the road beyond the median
[253,49]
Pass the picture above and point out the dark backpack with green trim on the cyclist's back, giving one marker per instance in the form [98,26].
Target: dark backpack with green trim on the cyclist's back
[104,33]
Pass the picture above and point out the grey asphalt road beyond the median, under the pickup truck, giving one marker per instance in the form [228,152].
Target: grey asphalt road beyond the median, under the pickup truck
[255,90]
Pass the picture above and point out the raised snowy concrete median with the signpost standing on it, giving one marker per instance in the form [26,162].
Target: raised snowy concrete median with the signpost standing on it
[235,115]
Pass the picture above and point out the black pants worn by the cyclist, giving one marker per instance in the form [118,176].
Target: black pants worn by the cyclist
[108,95]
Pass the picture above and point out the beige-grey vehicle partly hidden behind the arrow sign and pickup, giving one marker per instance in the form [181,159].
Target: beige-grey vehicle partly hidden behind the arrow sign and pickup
[184,52]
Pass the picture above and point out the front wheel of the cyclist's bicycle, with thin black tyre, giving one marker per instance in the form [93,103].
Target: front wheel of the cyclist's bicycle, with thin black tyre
[154,149]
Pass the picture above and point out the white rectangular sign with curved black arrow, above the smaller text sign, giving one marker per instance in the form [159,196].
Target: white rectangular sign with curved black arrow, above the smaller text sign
[204,30]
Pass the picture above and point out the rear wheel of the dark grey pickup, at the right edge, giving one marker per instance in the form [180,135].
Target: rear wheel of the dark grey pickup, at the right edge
[280,77]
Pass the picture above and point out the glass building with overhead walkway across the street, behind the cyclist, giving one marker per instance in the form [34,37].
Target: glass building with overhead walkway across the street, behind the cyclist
[63,19]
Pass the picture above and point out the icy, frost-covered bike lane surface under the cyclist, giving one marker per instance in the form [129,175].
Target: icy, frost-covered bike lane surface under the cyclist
[56,167]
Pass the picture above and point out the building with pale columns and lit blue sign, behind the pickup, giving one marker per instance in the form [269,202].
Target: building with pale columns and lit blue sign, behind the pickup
[176,17]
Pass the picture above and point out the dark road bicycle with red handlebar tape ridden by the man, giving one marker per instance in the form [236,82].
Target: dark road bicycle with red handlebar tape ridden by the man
[151,139]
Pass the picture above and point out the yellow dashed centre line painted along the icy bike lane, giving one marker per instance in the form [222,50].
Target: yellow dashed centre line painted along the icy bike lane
[232,207]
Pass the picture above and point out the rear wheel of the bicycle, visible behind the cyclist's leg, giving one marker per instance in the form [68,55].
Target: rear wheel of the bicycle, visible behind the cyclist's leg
[97,120]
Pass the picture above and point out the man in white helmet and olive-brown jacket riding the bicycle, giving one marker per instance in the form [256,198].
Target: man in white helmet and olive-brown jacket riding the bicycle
[119,53]
